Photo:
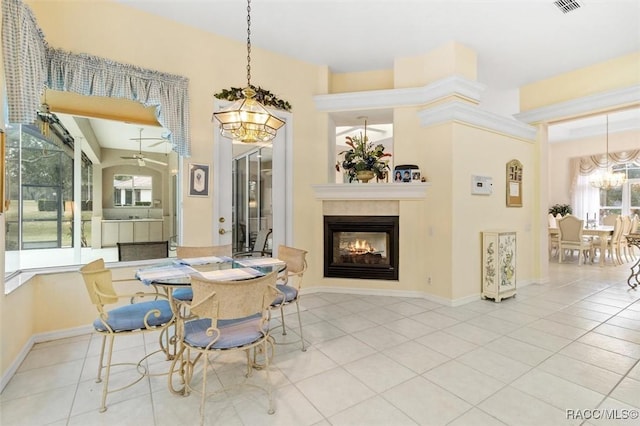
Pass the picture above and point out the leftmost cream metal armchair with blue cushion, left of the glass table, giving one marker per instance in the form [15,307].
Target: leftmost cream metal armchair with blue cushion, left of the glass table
[144,316]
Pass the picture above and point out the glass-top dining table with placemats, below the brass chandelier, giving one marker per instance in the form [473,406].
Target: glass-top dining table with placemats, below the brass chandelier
[169,275]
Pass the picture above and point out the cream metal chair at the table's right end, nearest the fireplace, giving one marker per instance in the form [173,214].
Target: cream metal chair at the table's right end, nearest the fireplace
[289,284]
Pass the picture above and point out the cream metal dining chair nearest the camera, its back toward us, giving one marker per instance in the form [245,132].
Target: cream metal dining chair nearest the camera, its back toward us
[231,316]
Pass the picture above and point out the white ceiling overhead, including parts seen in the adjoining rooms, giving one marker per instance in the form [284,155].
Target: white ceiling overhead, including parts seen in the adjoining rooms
[516,41]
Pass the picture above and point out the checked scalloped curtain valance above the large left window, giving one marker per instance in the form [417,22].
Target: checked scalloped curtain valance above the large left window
[30,65]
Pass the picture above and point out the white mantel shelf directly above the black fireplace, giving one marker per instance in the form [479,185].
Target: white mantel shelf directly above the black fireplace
[371,191]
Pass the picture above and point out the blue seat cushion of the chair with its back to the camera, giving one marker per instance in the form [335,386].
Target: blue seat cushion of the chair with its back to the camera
[233,333]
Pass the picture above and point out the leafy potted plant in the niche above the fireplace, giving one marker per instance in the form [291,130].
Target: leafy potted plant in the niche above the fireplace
[364,160]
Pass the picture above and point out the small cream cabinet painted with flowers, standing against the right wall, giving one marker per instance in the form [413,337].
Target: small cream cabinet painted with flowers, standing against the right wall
[498,264]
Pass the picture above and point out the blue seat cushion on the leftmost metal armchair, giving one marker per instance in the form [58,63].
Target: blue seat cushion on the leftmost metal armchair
[131,317]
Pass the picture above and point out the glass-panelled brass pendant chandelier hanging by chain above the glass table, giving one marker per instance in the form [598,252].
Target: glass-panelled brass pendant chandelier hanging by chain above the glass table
[247,120]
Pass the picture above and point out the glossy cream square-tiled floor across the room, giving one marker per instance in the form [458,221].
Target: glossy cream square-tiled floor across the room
[565,353]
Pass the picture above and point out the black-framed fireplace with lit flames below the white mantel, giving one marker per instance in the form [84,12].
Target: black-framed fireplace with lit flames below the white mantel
[362,247]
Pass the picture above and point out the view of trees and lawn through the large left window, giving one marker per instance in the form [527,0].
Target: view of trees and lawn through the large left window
[39,180]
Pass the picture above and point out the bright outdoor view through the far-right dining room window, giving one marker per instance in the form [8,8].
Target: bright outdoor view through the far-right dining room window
[624,200]
